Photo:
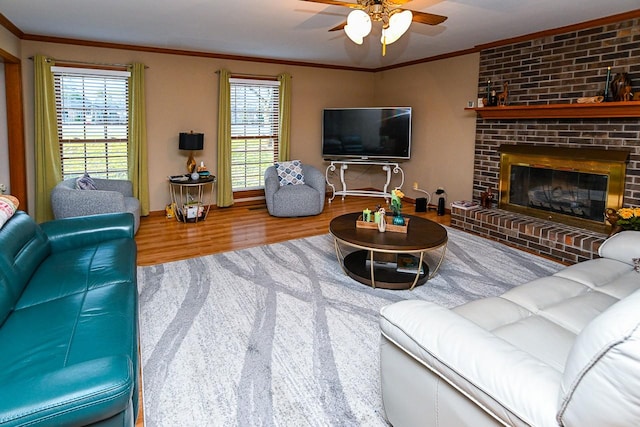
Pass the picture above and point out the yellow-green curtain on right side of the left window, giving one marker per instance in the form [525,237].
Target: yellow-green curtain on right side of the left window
[138,171]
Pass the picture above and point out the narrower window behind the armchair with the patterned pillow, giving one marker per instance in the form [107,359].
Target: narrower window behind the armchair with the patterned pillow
[254,130]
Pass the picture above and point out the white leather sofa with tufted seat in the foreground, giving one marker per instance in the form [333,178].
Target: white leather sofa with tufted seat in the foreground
[562,350]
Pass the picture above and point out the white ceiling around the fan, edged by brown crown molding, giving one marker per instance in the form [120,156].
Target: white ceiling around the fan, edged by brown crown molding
[294,30]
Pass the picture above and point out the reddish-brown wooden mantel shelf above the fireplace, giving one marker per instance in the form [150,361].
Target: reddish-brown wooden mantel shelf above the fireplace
[561,111]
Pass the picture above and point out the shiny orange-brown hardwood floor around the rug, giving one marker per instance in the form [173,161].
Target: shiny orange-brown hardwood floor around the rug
[162,239]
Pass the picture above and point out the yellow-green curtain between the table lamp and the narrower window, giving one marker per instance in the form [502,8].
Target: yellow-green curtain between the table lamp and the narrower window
[224,196]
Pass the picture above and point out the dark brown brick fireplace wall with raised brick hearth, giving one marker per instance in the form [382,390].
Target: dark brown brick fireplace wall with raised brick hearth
[554,69]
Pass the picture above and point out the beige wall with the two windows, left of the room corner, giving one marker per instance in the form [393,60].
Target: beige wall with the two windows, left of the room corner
[182,95]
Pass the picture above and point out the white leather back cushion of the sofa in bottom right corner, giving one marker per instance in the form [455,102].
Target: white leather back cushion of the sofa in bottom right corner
[602,372]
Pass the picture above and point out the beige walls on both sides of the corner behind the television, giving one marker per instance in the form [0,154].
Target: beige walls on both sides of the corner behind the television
[182,95]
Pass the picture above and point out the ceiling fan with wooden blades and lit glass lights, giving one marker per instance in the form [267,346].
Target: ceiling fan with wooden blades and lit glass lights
[395,20]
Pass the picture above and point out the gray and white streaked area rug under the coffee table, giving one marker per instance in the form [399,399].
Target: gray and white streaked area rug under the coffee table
[278,335]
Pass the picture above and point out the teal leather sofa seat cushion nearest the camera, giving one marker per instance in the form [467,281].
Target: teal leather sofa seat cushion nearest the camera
[68,330]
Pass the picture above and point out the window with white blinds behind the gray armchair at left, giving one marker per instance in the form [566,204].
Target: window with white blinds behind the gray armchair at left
[93,121]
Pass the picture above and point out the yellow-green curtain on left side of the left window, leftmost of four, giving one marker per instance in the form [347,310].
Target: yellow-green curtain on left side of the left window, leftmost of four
[47,144]
